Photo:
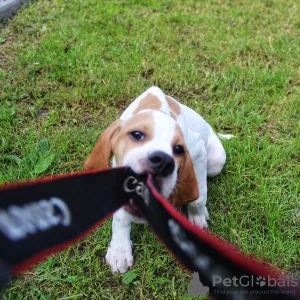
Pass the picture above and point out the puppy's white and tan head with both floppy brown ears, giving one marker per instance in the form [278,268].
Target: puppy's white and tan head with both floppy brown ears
[149,141]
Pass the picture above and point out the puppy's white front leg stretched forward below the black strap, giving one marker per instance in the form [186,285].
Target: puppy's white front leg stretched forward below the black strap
[119,253]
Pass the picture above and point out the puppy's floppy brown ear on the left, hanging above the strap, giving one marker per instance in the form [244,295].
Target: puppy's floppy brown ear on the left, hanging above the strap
[101,154]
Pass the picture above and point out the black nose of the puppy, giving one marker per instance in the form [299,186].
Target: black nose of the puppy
[161,163]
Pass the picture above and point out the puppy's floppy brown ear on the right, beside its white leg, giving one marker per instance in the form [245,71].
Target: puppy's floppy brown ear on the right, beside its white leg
[186,189]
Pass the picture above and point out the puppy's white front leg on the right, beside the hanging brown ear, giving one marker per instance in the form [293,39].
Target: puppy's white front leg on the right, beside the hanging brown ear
[197,211]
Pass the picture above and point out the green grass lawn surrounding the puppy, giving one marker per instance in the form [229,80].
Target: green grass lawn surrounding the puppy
[69,68]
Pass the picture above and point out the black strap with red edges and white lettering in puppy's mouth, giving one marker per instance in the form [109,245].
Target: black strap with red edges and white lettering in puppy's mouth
[39,218]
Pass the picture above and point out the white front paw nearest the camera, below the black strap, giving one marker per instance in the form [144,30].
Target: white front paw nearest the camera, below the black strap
[119,256]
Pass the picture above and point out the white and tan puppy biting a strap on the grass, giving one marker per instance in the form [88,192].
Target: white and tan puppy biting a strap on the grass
[159,135]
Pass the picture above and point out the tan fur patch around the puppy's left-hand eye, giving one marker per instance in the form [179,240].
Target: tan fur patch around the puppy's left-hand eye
[124,142]
